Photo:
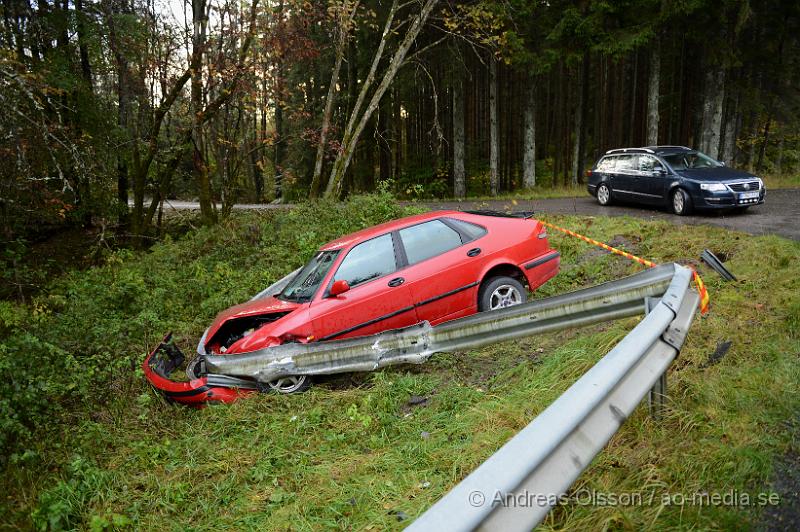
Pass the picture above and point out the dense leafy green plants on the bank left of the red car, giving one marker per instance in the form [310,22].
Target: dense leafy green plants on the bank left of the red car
[81,341]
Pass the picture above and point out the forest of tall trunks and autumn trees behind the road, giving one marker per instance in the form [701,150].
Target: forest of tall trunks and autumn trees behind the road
[112,107]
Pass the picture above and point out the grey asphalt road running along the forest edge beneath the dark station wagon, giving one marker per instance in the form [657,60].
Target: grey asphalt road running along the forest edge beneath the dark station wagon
[779,215]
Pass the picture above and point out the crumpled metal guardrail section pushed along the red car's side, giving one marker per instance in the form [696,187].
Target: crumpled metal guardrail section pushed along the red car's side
[415,344]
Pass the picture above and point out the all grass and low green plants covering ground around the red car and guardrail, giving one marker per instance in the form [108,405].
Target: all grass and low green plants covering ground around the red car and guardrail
[89,445]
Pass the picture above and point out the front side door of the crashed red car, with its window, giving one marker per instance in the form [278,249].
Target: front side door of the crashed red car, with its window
[376,301]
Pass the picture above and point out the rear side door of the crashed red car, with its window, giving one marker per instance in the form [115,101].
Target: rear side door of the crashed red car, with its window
[444,261]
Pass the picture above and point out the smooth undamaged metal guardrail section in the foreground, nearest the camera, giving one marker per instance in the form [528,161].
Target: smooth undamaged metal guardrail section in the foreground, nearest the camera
[541,462]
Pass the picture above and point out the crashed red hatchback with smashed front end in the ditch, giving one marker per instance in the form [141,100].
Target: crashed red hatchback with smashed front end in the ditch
[432,267]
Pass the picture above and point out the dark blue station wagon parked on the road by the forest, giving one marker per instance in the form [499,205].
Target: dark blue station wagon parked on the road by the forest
[675,176]
